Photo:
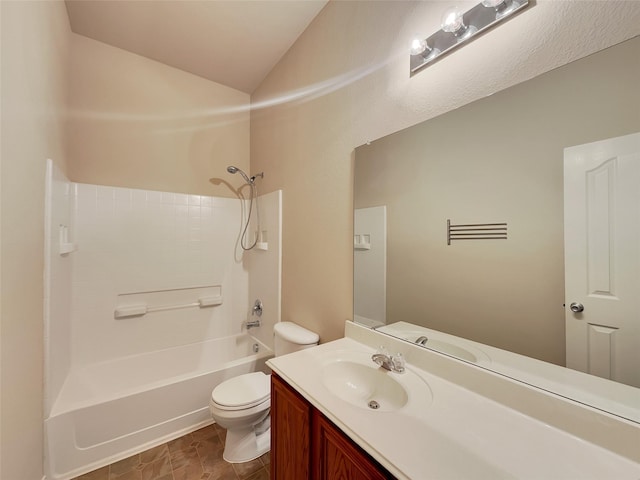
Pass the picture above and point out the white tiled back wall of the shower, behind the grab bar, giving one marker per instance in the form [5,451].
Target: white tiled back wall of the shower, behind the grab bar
[140,241]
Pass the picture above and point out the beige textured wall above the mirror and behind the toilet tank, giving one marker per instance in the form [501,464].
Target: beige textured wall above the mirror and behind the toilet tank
[352,60]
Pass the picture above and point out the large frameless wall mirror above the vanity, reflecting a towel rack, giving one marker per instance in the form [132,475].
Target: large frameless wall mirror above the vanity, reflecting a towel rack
[502,160]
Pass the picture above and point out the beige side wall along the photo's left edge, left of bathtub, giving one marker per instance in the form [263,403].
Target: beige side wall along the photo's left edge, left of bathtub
[35,45]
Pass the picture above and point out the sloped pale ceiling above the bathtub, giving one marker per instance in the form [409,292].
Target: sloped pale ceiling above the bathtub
[231,42]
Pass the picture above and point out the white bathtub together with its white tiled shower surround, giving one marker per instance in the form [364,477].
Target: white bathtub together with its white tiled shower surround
[119,384]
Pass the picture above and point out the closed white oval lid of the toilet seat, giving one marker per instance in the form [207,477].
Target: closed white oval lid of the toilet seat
[242,391]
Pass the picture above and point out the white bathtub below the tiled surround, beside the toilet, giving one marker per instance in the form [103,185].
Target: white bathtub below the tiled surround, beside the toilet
[109,411]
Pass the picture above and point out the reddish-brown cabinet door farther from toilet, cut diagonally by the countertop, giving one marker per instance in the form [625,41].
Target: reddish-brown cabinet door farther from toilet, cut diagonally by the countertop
[335,457]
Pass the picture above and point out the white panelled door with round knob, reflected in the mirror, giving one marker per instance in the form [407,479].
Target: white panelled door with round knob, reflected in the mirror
[602,258]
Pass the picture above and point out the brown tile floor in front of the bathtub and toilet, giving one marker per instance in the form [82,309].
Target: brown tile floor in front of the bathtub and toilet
[195,456]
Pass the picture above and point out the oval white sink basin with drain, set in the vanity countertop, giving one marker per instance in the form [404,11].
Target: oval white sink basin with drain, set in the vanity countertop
[364,386]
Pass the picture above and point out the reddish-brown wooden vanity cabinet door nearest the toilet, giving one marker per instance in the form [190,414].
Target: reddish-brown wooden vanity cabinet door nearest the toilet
[290,429]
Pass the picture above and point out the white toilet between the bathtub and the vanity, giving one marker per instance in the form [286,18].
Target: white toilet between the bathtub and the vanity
[241,404]
